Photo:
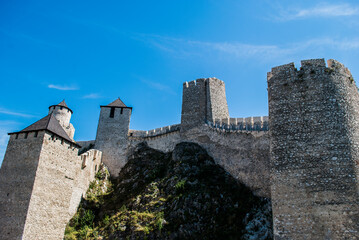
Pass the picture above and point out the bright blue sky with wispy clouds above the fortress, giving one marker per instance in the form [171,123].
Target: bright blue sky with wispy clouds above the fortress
[142,51]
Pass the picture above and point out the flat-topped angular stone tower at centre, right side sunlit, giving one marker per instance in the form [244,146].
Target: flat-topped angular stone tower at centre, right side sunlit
[203,100]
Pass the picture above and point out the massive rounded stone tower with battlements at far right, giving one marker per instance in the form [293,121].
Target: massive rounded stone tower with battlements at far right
[314,127]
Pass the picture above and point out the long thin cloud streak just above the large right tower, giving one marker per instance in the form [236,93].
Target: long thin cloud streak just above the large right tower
[229,50]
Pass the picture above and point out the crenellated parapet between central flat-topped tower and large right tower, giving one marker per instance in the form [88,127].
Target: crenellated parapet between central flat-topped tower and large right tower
[241,124]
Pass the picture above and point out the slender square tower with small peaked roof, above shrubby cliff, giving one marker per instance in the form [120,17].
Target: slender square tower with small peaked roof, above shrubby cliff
[112,135]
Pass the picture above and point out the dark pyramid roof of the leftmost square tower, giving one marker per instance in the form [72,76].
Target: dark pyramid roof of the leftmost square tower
[49,123]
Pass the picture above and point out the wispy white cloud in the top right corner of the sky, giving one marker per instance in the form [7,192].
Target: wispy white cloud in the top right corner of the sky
[322,10]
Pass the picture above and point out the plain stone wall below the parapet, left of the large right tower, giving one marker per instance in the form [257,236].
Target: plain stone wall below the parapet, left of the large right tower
[245,155]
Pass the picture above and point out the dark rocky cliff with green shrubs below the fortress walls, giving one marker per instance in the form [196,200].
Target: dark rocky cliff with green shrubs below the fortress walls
[178,195]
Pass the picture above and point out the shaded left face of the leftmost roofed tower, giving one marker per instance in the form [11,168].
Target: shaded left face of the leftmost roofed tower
[17,175]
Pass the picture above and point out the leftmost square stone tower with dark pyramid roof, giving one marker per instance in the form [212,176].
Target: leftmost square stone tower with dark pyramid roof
[37,181]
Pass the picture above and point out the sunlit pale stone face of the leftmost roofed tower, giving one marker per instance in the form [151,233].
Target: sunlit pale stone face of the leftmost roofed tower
[49,208]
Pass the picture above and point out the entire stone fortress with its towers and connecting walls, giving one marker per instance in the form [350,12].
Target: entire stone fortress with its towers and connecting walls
[304,156]
